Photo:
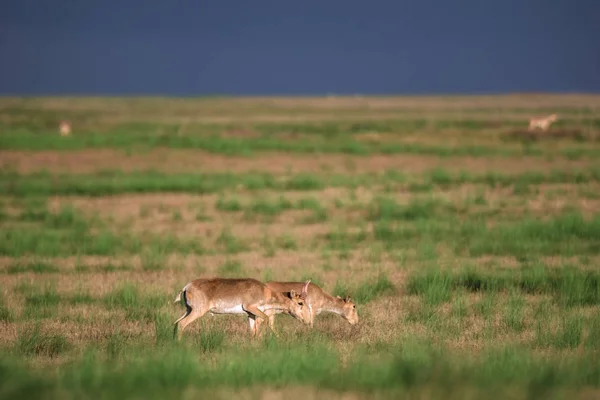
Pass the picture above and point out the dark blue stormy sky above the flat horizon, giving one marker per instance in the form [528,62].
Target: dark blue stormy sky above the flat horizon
[196,47]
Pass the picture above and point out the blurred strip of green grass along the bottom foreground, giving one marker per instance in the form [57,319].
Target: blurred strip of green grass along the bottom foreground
[413,366]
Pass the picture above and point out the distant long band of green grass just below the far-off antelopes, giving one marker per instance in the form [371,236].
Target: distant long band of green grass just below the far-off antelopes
[314,138]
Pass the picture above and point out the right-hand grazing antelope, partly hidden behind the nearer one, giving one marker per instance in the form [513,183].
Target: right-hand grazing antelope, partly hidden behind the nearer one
[317,301]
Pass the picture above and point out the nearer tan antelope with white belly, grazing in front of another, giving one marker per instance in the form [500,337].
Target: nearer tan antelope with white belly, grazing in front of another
[239,296]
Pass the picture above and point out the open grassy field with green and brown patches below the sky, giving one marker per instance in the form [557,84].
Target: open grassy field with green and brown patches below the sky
[470,246]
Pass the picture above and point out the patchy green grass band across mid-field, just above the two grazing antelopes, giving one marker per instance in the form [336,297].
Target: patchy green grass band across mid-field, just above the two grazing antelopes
[423,223]
